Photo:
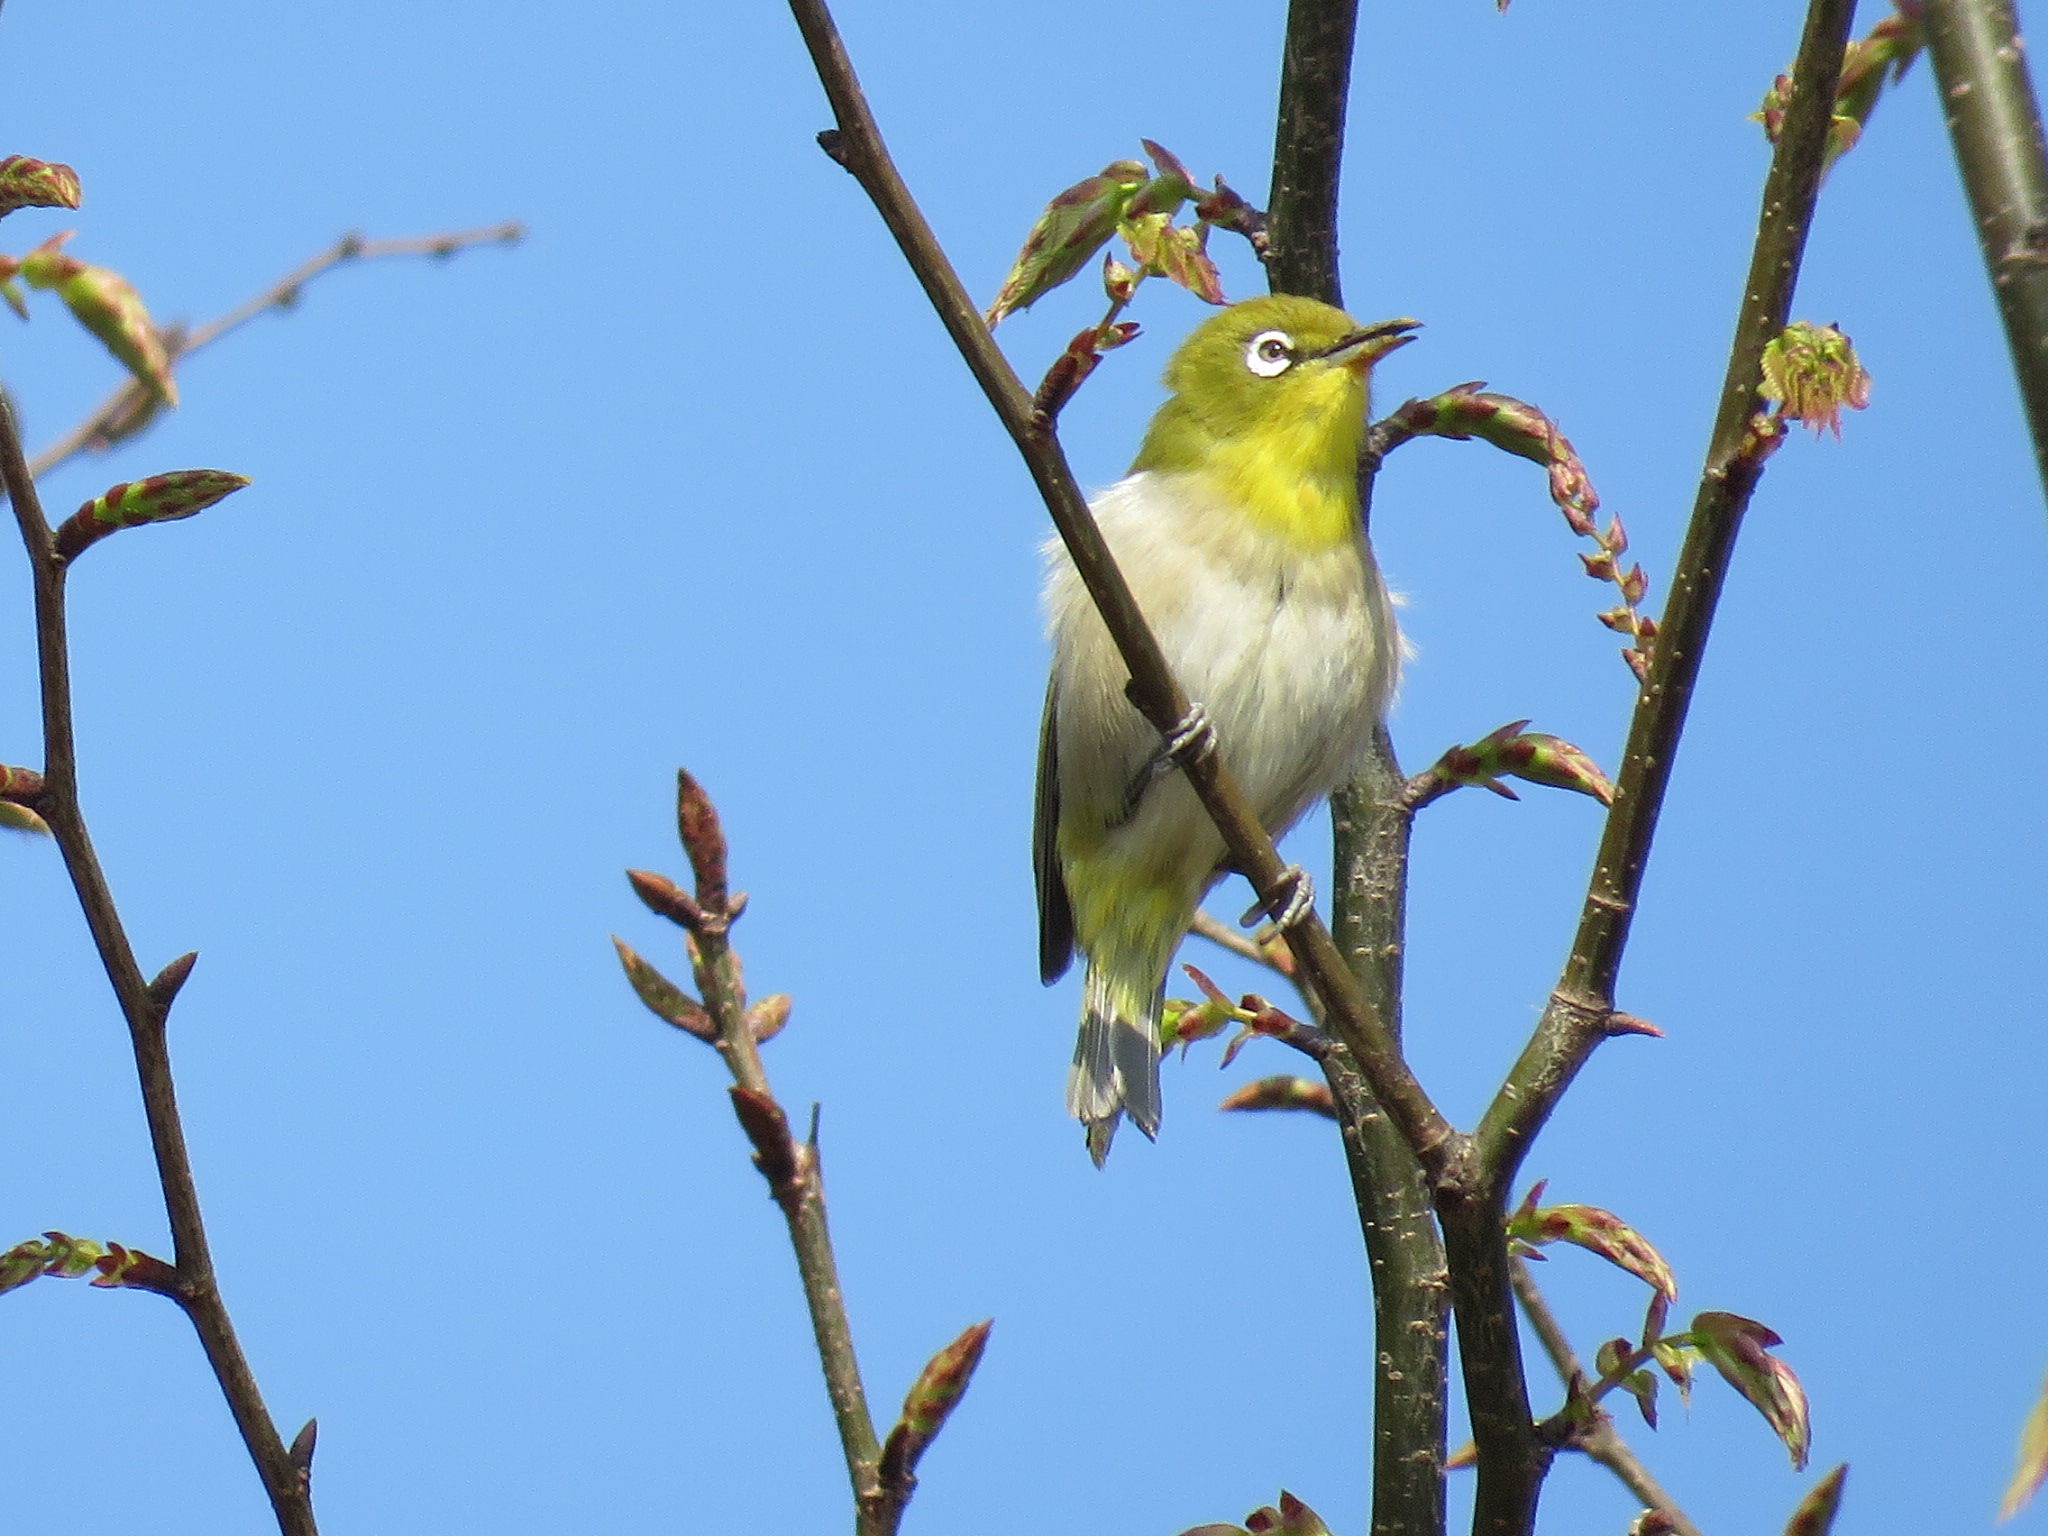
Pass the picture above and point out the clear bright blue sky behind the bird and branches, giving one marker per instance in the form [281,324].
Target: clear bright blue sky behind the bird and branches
[693,478]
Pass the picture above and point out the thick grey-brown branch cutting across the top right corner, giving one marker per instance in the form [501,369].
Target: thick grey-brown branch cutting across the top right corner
[1996,126]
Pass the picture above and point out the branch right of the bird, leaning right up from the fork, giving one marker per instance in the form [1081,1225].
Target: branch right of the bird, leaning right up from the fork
[1576,1021]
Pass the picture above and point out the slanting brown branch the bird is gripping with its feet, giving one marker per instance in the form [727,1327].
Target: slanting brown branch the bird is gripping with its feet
[857,144]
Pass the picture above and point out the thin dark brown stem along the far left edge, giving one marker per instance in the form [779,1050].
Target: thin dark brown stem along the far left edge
[198,1293]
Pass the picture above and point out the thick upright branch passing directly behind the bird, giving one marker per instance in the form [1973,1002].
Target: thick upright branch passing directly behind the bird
[1369,892]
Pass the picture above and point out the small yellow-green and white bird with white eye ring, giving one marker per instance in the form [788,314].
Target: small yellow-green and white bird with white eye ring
[1242,540]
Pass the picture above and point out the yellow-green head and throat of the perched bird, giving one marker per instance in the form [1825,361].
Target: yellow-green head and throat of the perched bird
[1271,407]
